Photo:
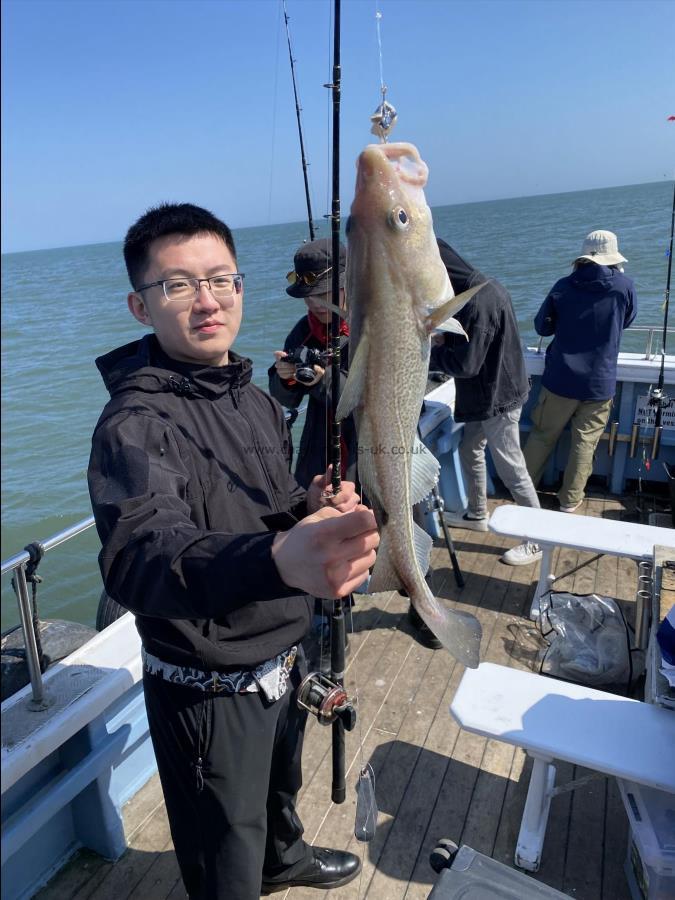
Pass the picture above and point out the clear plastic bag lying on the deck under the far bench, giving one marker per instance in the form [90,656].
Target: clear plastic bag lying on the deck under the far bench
[588,641]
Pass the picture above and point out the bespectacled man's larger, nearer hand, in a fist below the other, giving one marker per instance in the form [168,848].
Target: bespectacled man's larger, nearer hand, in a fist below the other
[327,554]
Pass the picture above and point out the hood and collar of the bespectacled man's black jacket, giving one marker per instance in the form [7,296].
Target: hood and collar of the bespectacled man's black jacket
[143,365]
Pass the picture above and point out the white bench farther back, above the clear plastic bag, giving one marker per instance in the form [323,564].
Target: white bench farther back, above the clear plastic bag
[552,529]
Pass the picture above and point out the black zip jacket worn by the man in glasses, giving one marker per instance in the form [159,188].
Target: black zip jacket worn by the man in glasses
[189,482]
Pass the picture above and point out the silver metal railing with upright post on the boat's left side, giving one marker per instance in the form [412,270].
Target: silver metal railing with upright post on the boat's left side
[31,556]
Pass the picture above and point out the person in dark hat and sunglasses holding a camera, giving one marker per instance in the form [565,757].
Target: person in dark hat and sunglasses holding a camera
[301,373]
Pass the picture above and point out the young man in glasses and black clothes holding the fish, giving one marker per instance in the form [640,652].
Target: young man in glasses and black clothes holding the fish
[212,544]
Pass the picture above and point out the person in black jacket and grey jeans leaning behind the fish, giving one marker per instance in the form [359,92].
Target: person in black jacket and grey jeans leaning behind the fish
[491,387]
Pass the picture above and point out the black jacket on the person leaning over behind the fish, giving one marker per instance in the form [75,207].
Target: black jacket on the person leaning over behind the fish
[489,369]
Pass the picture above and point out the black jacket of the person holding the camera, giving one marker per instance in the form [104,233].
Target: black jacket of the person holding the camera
[313,451]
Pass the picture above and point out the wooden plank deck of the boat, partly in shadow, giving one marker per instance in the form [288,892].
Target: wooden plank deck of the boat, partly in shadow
[433,779]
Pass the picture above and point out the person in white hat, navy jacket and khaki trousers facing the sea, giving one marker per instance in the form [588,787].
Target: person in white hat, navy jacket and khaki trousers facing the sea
[586,313]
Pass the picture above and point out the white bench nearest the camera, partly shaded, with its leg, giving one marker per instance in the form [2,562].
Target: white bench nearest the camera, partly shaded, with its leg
[552,719]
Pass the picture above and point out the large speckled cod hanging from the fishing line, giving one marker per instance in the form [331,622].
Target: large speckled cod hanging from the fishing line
[398,292]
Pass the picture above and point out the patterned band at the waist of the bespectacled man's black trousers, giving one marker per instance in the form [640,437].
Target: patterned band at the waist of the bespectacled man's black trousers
[270,677]
